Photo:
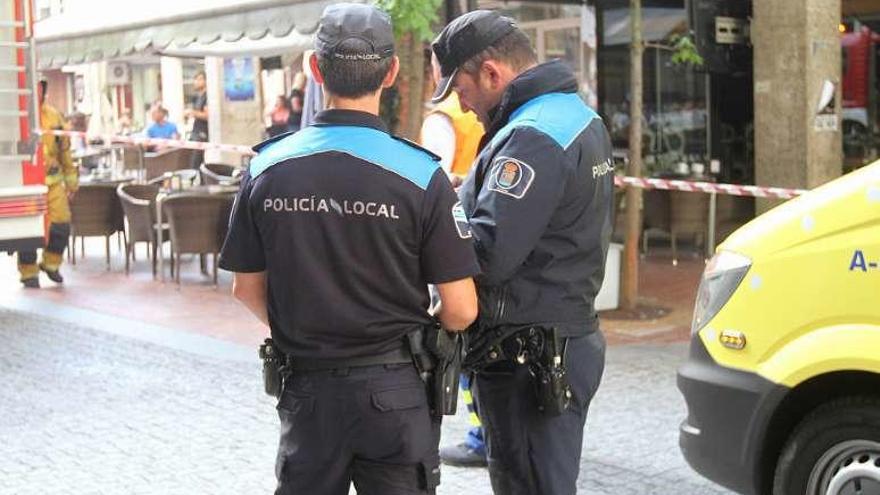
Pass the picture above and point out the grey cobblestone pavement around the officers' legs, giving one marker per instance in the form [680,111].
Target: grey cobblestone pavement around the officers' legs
[85,411]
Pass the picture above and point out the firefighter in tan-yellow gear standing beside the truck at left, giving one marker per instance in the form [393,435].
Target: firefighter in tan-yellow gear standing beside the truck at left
[62,179]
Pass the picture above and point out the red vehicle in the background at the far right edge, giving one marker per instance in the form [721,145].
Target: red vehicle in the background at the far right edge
[861,76]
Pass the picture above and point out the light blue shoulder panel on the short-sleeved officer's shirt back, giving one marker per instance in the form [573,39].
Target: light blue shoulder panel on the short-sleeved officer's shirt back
[368,144]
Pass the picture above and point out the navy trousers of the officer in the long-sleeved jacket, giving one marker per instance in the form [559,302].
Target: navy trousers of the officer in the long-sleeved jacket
[530,453]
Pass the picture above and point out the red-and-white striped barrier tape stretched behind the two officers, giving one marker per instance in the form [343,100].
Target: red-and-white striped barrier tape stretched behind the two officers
[645,183]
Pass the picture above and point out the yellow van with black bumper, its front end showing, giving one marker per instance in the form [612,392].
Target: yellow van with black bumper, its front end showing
[783,379]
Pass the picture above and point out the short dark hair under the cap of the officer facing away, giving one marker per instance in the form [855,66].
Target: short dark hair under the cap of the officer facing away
[353,78]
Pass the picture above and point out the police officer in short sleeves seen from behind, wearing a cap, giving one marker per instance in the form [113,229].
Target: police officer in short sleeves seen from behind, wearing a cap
[334,238]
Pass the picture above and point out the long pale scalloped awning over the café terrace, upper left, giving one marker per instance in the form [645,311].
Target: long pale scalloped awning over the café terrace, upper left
[177,28]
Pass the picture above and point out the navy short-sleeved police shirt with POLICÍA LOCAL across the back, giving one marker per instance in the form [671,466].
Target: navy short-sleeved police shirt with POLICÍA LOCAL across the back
[350,225]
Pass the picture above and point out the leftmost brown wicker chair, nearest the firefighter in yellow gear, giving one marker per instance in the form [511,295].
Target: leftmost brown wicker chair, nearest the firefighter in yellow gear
[95,211]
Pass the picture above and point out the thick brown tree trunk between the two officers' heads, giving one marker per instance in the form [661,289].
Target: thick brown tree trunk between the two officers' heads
[411,87]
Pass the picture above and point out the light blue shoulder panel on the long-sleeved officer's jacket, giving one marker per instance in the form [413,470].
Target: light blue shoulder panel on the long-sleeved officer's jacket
[562,116]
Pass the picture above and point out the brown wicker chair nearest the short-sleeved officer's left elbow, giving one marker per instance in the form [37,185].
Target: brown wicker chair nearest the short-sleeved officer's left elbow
[198,223]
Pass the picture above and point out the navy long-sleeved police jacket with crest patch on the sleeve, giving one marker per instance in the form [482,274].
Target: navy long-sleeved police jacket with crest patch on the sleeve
[539,202]
